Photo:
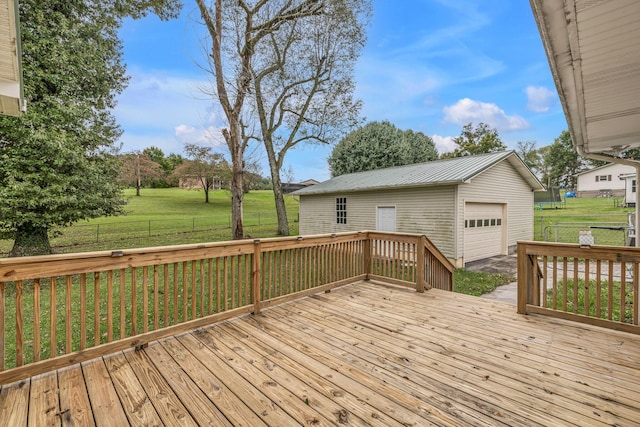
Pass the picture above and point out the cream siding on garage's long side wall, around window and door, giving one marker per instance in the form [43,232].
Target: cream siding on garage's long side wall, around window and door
[422,210]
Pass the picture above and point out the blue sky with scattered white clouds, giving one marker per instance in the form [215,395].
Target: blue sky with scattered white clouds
[429,65]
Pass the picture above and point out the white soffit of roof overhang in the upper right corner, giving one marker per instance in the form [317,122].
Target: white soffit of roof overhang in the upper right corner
[593,47]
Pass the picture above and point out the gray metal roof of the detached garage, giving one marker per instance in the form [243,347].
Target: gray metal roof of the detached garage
[440,172]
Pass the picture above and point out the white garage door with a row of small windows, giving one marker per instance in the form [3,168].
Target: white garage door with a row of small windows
[483,230]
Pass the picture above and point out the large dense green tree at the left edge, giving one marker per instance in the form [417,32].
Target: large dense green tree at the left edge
[57,161]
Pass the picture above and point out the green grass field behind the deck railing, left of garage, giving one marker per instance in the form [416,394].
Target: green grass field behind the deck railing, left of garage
[171,216]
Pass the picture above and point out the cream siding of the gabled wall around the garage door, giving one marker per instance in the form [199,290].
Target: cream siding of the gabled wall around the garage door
[500,184]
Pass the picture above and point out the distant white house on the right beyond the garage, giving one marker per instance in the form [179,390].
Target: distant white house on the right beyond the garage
[603,181]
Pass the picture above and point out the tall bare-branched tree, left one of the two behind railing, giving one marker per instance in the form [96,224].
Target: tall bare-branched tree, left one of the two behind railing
[236,28]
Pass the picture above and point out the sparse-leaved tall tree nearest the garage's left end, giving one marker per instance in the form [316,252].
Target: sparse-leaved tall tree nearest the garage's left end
[302,81]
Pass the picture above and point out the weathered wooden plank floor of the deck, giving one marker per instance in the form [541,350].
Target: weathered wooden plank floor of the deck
[363,354]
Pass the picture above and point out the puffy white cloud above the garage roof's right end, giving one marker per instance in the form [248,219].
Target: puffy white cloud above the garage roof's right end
[467,110]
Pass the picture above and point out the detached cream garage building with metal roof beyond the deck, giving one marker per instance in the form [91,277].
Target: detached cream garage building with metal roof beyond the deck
[470,207]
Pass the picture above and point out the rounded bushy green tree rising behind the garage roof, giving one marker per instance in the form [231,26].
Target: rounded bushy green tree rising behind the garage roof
[380,145]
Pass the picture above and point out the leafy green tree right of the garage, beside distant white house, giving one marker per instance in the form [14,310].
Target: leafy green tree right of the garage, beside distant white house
[563,161]
